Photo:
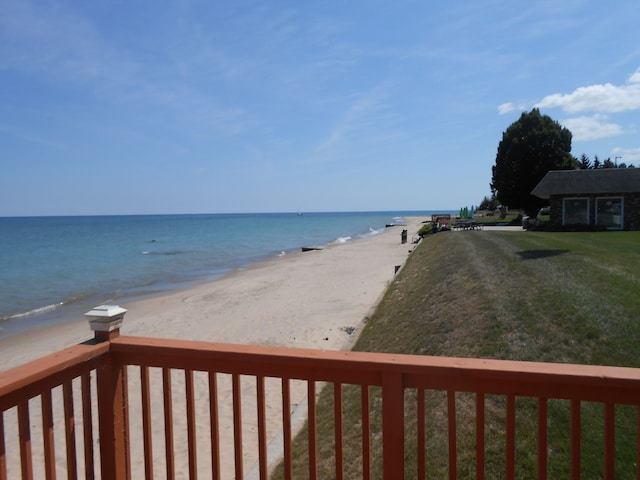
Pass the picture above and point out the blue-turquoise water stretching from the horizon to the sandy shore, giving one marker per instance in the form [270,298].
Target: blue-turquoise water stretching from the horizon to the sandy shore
[53,269]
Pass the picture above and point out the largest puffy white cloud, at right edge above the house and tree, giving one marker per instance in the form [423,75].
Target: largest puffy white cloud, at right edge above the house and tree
[598,98]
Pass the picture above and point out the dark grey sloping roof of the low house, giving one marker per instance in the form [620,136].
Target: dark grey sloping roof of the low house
[590,181]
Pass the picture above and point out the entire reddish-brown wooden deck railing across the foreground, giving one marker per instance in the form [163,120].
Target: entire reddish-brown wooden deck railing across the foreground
[152,407]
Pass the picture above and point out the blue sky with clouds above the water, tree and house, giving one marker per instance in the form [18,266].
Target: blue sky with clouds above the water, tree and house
[115,107]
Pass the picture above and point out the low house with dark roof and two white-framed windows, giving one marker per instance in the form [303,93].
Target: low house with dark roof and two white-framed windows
[607,197]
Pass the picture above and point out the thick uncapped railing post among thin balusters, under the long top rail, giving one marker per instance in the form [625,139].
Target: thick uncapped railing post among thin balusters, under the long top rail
[393,425]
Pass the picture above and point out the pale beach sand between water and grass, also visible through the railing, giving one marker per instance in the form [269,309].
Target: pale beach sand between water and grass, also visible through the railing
[316,299]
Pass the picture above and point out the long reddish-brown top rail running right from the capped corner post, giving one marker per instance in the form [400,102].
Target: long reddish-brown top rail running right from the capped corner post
[563,381]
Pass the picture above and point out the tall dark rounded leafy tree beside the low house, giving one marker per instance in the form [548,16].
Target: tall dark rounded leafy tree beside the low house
[530,147]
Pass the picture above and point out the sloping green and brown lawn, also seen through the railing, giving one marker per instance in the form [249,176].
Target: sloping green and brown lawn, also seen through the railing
[533,296]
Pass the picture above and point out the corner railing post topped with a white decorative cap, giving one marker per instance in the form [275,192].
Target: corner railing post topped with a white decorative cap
[113,418]
